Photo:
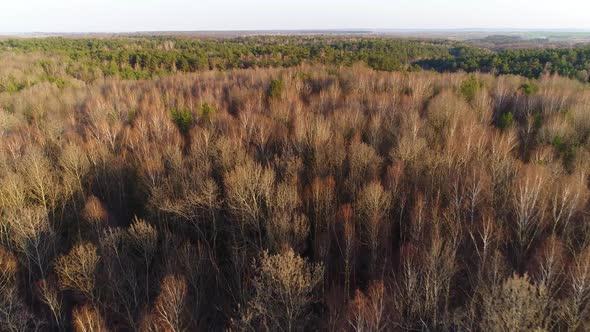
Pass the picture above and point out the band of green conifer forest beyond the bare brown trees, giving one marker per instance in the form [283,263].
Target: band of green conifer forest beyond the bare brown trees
[148,57]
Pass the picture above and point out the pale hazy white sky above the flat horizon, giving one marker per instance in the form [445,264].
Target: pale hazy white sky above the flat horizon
[187,15]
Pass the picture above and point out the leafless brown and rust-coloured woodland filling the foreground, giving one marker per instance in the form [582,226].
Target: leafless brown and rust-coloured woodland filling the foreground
[313,197]
